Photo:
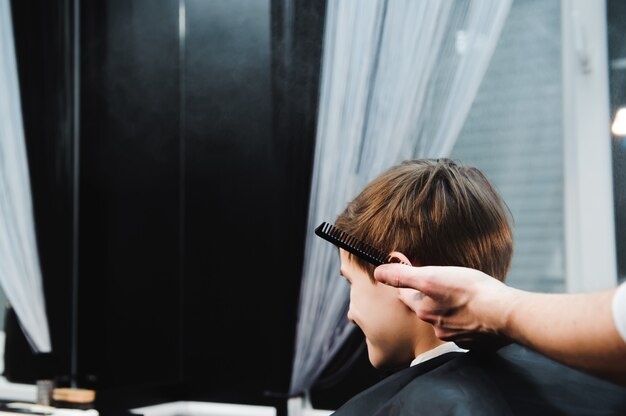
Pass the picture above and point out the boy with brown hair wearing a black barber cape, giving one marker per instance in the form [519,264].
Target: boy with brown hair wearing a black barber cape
[431,212]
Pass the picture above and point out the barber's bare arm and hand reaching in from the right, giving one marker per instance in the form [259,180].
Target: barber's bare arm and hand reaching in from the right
[466,305]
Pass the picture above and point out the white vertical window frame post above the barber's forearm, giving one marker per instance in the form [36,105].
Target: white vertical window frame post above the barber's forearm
[591,262]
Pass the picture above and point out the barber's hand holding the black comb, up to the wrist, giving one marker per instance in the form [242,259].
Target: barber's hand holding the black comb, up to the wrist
[464,305]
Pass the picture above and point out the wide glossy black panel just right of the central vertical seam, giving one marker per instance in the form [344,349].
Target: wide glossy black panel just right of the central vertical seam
[233,281]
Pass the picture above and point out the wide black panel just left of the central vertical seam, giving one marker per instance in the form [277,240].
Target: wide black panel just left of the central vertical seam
[129,196]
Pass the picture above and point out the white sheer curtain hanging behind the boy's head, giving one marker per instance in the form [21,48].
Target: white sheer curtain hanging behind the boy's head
[398,79]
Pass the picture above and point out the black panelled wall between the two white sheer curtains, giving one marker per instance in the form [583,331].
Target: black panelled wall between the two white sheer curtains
[192,183]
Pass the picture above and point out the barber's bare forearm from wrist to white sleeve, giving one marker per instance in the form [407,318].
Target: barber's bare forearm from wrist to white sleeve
[575,329]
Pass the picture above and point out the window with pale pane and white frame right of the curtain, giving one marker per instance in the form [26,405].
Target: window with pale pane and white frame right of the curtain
[539,130]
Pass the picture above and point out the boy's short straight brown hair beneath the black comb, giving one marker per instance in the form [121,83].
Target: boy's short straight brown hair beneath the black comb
[436,212]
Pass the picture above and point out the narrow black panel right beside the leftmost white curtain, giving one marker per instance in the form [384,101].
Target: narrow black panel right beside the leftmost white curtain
[43,47]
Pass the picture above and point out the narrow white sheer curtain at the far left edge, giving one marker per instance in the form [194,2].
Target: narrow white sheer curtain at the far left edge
[20,275]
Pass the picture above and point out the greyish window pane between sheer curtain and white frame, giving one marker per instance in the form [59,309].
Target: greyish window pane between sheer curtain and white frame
[514,135]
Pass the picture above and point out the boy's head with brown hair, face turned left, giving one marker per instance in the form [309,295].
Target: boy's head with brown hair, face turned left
[434,212]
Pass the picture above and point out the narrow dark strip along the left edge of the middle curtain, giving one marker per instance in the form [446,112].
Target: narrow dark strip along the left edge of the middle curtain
[297,33]
